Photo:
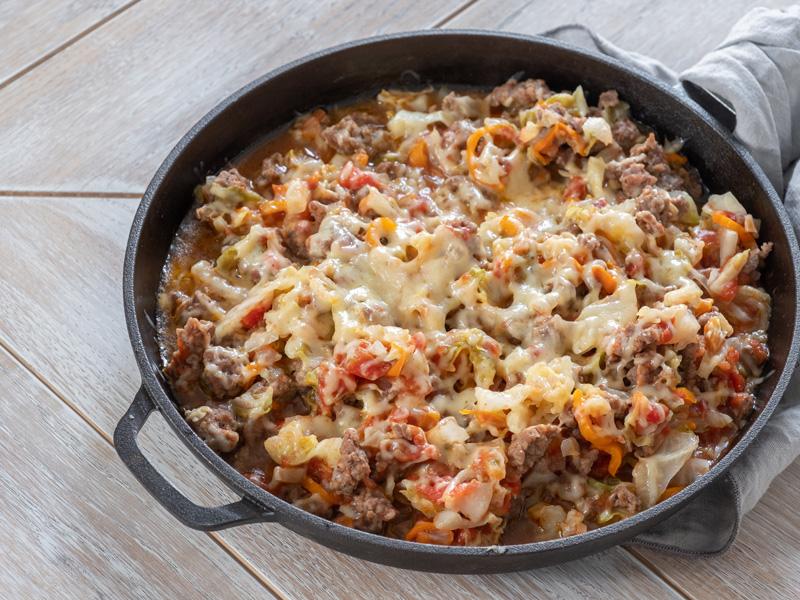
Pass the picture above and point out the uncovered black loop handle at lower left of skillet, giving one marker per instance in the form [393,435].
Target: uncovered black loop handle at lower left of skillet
[187,512]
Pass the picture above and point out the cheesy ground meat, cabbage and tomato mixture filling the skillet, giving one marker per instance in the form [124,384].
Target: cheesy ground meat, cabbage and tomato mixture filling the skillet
[435,314]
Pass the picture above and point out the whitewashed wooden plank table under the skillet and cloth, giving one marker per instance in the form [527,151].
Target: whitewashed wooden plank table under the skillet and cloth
[92,96]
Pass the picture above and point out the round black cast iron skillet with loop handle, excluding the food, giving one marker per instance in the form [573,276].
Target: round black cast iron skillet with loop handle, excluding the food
[471,58]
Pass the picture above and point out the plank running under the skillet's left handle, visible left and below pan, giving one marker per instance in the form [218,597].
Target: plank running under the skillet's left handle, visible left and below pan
[66,321]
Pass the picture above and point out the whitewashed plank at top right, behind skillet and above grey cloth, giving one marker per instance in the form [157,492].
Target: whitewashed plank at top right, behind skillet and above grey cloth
[678,32]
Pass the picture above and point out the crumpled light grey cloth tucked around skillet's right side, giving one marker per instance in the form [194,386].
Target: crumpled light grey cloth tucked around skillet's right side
[756,70]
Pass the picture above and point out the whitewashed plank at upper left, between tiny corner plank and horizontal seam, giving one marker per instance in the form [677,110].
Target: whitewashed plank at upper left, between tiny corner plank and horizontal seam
[101,115]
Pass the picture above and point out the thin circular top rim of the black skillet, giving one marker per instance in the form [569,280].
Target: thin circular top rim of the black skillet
[293,517]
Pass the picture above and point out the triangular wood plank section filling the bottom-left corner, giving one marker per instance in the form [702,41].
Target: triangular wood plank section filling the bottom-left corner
[74,525]
